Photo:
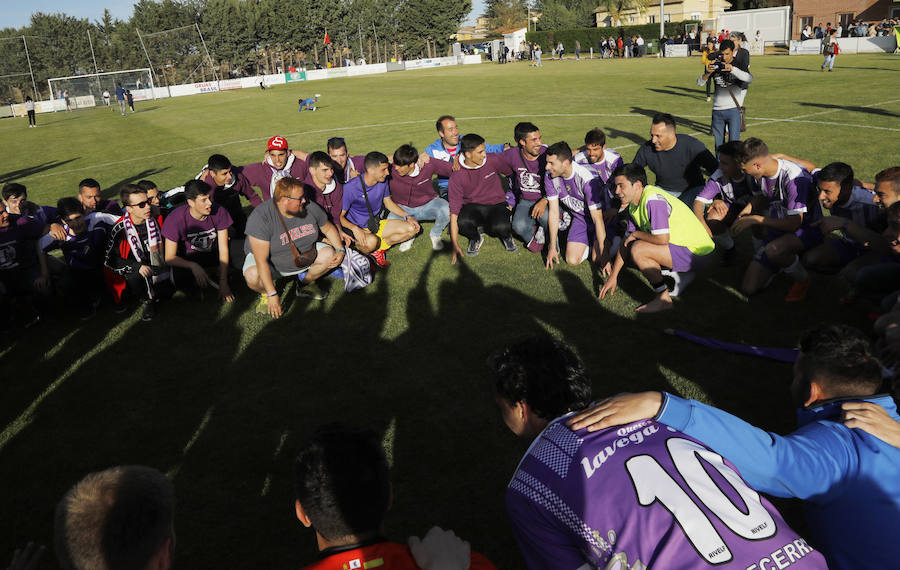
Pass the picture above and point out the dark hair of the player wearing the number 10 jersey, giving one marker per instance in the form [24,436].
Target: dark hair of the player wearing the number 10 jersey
[544,373]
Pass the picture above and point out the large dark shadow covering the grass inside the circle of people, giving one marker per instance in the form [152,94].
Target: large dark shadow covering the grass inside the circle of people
[221,402]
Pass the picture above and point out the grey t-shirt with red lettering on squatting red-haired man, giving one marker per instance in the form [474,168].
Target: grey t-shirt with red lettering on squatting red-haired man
[304,232]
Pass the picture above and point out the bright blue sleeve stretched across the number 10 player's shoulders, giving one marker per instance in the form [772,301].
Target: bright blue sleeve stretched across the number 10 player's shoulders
[806,464]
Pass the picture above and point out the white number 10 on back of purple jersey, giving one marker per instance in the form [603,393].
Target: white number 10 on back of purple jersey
[652,483]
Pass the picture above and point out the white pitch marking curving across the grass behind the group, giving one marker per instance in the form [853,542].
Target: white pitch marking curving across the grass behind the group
[476,118]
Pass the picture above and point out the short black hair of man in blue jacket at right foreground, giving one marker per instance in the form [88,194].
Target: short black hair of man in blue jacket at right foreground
[840,358]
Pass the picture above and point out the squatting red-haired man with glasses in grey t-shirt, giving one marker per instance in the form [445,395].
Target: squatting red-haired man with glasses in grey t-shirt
[282,236]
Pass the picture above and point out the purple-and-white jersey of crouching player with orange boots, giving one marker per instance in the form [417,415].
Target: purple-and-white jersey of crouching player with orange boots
[789,192]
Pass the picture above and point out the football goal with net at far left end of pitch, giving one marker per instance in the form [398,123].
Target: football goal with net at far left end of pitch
[87,90]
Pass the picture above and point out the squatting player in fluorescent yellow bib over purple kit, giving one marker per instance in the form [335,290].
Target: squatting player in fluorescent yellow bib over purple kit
[663,233]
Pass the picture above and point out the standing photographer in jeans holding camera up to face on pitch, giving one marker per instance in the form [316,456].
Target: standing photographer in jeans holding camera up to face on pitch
[730,79]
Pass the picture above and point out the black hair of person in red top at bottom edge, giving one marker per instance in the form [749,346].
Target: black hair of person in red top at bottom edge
[342,481]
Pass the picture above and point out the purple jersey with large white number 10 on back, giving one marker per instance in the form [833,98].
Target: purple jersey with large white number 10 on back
[642,496]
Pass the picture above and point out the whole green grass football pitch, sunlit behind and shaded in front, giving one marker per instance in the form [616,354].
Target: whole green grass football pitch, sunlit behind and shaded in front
[219,397]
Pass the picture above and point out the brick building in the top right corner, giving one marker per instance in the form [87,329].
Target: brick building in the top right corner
[842,12]
